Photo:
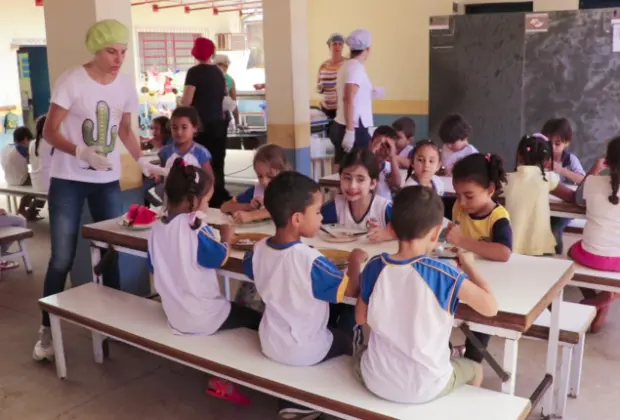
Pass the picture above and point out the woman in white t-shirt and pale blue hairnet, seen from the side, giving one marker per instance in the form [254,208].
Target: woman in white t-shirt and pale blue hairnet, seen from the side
[355,94]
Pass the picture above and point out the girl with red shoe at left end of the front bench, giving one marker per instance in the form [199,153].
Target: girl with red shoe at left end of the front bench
[183,255]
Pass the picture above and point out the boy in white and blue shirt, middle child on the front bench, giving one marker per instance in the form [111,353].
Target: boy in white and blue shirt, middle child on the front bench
[297,283]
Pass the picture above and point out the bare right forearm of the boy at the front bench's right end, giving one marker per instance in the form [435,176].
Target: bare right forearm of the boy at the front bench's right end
[475,291]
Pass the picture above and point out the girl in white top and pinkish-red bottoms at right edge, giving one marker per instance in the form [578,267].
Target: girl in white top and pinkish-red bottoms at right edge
[600,245]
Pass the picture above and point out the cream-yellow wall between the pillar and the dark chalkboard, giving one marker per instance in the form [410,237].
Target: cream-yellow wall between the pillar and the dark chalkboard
[399,55]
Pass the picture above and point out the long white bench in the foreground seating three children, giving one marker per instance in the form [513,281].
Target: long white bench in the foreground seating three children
[235,355]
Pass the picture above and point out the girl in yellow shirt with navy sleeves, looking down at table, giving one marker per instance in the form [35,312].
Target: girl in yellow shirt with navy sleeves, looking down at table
[479,224]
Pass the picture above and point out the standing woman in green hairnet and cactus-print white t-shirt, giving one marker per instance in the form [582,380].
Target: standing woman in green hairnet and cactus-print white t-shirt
[91,109]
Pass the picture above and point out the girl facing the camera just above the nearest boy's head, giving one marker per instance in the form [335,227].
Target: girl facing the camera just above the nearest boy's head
[425,162]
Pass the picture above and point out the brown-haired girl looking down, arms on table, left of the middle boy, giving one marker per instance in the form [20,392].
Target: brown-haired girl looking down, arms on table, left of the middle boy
[246,207]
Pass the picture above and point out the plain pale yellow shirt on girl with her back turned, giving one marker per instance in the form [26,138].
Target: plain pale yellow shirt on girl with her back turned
[527,202]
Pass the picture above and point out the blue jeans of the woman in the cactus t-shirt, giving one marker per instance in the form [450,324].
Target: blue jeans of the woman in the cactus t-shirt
[66,201]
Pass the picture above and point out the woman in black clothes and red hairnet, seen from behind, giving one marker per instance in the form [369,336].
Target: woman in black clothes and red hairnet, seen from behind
[205,89]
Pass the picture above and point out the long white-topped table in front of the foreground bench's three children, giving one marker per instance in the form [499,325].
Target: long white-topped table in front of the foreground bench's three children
[524,286]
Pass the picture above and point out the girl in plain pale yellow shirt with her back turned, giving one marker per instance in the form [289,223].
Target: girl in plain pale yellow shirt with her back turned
[527,197]
